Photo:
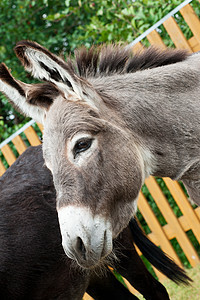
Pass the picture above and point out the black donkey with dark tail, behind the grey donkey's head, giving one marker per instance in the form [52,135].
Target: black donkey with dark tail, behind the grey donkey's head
[33,263]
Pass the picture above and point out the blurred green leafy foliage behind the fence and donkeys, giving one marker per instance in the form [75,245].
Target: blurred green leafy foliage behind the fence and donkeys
[61,26]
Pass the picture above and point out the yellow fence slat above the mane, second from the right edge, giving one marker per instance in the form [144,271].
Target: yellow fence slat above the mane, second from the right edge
[176,34]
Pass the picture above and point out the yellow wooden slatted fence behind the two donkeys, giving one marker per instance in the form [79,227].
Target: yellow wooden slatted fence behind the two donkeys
[175,227]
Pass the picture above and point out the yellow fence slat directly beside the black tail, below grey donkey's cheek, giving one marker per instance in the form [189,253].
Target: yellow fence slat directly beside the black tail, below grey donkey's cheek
[155,227]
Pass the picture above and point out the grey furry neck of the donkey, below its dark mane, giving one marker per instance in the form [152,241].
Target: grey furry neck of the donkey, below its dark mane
[160,107]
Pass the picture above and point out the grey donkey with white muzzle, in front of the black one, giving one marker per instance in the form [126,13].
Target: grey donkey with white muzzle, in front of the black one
[110,119]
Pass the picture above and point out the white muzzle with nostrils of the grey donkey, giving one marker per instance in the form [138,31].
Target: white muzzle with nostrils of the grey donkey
[86,238]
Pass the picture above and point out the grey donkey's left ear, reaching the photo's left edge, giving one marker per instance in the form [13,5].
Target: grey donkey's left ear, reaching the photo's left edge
[24,96]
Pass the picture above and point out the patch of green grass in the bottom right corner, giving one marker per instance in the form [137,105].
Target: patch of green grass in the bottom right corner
[181,292]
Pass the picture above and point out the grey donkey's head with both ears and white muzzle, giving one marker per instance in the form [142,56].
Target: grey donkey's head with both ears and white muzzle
[87,147]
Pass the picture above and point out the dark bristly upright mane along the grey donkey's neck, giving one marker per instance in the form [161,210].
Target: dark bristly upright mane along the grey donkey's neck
[109,59]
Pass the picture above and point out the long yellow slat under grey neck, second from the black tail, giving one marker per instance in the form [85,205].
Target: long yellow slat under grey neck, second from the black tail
[171,219]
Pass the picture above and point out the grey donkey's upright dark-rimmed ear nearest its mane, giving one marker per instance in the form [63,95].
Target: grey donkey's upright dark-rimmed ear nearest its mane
[46,66]
